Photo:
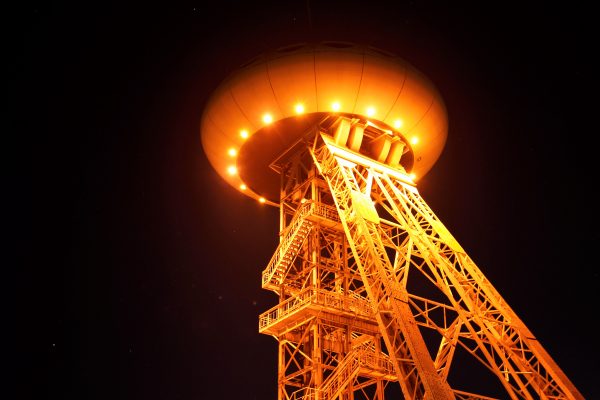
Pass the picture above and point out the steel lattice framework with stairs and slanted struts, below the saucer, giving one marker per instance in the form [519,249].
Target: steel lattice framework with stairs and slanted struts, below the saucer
[353,232]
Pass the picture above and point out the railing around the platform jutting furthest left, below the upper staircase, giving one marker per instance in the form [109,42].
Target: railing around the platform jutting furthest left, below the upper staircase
[339,301]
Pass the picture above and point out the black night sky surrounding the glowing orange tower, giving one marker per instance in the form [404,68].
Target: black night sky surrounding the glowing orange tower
[138,268]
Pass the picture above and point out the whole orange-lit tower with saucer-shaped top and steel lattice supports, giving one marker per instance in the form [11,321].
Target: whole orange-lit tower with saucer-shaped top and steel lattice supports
[336,135]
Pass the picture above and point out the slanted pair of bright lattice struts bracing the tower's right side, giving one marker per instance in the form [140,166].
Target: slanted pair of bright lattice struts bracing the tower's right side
[502,342]
